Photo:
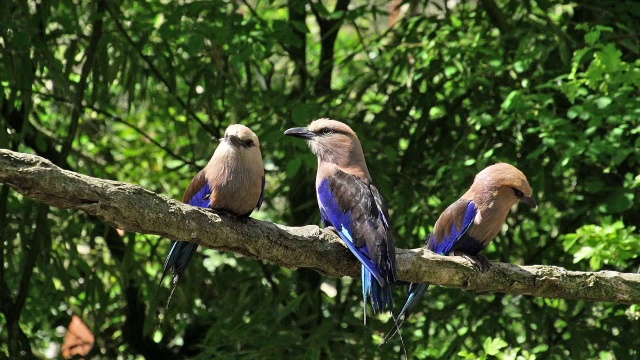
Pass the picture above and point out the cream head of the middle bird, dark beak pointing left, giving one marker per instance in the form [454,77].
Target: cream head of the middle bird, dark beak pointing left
[333,142]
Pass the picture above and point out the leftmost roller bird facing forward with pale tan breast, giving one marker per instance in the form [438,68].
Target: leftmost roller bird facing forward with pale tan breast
[232,182]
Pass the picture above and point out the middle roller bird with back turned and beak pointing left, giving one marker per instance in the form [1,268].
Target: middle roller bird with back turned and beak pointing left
[352,205]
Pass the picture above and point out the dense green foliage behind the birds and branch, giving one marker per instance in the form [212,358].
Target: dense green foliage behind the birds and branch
[138,92]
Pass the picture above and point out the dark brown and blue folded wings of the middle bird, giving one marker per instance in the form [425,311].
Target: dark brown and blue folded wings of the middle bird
[355,208]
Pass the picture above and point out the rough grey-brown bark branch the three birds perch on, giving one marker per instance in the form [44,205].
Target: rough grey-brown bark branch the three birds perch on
[134,208]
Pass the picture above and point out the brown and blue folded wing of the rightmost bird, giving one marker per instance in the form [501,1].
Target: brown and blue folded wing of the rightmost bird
[452,227]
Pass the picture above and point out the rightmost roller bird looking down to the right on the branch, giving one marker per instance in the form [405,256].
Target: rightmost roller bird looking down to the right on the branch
[468,225]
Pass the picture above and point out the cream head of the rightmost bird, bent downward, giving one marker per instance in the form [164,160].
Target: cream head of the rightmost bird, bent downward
[501,183]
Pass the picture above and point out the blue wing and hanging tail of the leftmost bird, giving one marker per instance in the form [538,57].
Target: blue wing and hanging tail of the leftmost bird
[197,194]
